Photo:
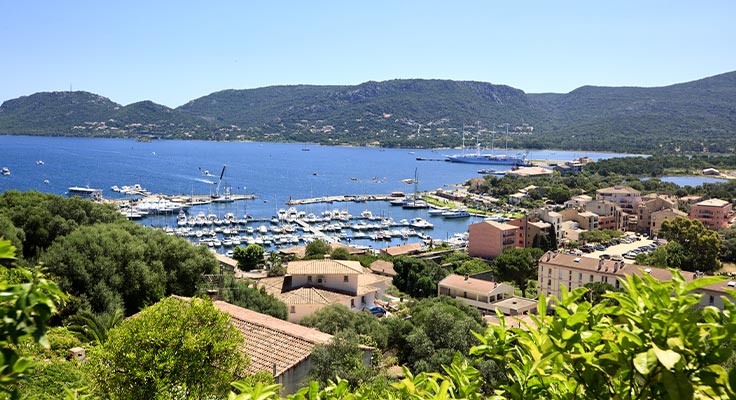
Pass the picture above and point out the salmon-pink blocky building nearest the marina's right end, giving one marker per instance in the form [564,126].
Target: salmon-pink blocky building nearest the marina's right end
[488,239]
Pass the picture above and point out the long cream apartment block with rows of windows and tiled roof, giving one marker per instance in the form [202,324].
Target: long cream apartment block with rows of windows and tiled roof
[558,270]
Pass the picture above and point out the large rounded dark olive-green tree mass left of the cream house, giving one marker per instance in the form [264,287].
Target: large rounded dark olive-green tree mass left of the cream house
[125,265]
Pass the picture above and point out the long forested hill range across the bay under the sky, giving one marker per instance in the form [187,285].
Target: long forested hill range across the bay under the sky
[691,116]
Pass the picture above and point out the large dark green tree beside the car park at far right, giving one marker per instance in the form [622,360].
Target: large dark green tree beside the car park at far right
[699,244]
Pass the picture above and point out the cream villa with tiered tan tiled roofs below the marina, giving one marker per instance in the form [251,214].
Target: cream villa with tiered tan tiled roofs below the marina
[312,284]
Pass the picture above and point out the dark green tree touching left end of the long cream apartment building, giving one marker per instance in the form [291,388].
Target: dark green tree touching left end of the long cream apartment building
[518,265]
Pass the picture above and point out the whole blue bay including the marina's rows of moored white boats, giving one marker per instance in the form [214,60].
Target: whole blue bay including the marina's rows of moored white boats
[259,180]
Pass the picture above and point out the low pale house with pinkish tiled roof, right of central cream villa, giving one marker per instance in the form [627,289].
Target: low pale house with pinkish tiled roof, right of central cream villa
[478,293]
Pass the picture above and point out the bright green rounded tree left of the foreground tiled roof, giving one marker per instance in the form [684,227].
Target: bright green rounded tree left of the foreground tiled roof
[173,349]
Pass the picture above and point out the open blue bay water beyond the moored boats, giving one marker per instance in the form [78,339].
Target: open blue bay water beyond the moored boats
[274,172]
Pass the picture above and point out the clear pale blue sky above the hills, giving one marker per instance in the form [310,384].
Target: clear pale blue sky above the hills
[171,52]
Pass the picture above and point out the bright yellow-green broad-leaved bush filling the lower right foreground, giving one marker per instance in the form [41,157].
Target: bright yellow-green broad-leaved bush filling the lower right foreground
[649,346]
